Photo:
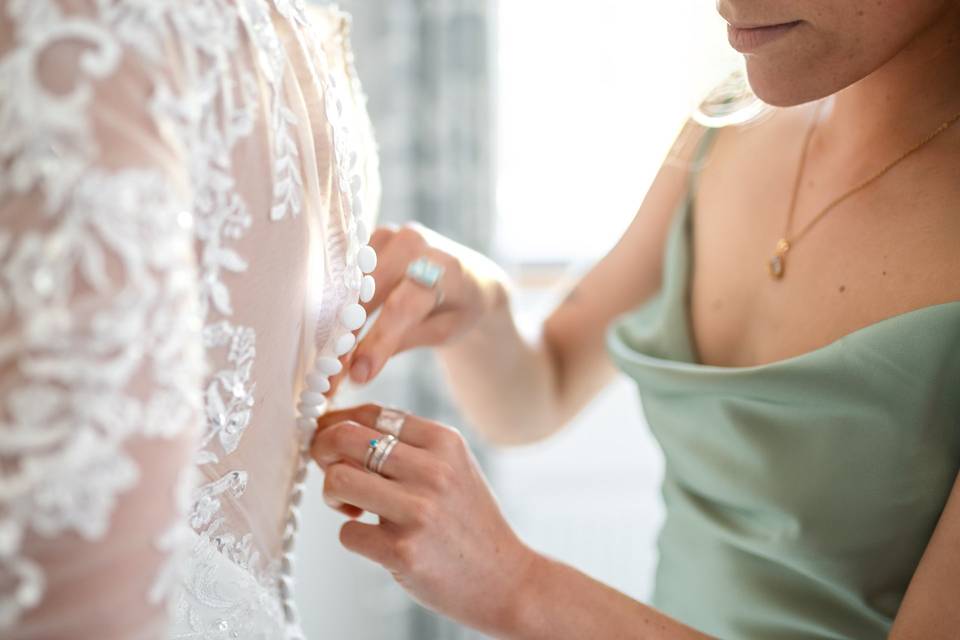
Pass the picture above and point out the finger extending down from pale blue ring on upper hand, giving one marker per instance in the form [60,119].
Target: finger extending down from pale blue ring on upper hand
[408,306]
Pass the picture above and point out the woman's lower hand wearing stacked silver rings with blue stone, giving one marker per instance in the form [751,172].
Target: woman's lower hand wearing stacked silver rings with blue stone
[441,532]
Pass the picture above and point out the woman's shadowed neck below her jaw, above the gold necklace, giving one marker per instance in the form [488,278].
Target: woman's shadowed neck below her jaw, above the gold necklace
[903,100]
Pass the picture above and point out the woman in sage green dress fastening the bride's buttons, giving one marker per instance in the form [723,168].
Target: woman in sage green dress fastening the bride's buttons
[788,301]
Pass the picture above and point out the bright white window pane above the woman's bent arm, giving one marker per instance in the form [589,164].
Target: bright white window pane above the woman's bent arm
[591,97]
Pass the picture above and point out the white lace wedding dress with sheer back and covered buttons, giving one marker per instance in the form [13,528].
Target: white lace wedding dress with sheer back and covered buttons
[185,197]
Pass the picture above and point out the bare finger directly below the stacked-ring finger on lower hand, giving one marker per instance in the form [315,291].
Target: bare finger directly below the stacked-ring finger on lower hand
[345,484]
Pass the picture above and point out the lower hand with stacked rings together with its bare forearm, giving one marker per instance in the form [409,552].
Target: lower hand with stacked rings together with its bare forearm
[442,536]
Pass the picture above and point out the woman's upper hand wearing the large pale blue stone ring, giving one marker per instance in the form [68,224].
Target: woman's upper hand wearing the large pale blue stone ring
[413,315]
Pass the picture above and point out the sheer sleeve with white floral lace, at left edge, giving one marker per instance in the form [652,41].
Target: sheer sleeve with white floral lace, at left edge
[101,359]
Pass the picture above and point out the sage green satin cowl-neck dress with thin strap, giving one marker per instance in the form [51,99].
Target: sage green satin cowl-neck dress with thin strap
[800,494]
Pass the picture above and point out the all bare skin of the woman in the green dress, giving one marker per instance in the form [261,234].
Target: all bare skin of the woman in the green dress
[884,72]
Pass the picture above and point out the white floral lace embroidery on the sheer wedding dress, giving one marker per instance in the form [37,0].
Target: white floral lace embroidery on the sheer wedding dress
[65,477]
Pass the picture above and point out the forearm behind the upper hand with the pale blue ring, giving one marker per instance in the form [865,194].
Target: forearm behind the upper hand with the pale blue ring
[505,384]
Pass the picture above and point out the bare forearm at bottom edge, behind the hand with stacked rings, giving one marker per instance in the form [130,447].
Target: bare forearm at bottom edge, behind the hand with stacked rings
[561,603]
